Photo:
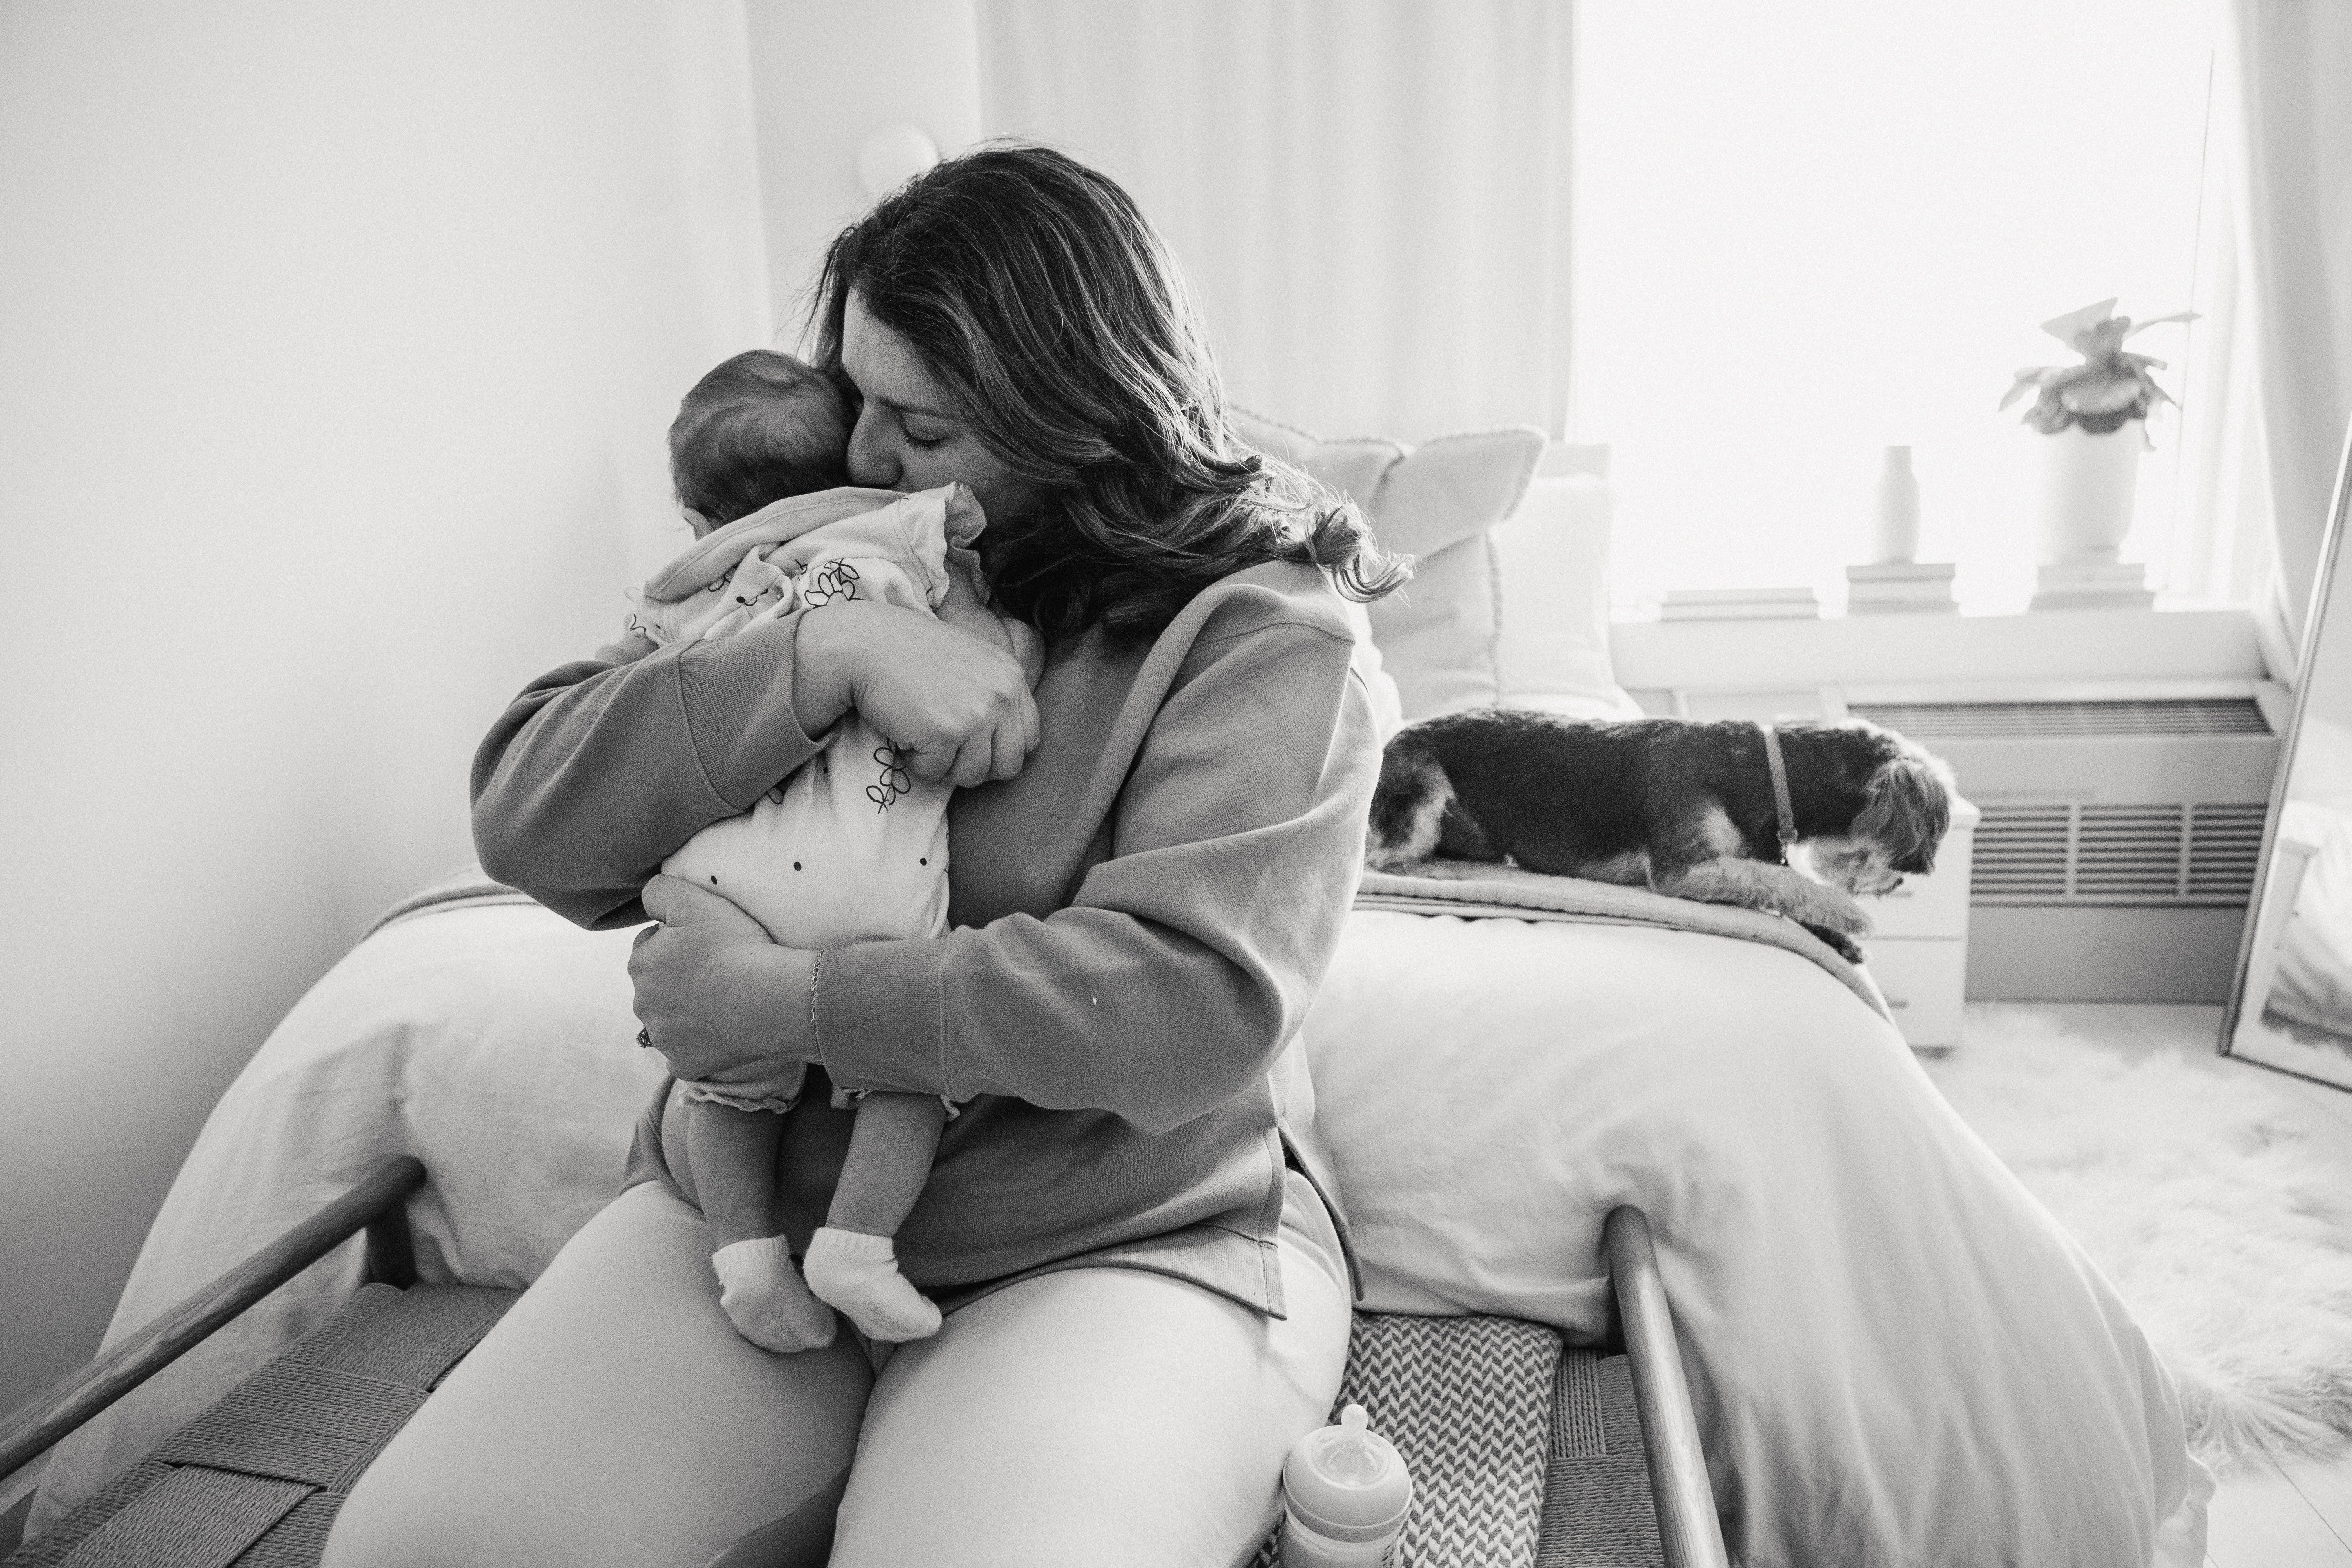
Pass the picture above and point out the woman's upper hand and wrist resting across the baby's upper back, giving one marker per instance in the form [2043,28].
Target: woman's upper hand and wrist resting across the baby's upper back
[958,706]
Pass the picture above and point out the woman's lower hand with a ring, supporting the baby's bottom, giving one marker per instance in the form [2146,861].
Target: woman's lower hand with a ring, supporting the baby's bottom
[716,998]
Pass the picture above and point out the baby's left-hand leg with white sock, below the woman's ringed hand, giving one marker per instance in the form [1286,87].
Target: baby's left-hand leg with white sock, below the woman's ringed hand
[735,1177]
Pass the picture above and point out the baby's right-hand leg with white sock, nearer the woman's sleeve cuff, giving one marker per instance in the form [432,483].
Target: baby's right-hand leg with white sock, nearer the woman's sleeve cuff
[853,1261]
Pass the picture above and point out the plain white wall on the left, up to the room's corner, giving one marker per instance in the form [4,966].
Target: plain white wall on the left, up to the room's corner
[335,354]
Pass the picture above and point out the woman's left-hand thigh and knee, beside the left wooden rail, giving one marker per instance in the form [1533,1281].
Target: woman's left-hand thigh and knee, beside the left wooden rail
[615,1419]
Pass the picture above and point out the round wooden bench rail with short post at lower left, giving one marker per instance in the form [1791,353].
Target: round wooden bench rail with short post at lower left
[375,1205]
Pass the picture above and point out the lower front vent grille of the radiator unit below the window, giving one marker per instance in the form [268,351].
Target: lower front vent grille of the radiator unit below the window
[2083,855]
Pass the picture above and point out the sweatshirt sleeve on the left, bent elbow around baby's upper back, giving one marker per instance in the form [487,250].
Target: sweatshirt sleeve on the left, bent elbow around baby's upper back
[601,770]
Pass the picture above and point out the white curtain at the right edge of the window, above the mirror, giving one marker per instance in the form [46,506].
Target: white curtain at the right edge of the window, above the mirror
[2287,76]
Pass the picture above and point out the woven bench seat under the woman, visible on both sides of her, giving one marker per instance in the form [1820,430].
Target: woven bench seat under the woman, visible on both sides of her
[1523,1454]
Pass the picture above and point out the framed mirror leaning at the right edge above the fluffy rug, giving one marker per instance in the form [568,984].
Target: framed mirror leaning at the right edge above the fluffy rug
[2292,1003]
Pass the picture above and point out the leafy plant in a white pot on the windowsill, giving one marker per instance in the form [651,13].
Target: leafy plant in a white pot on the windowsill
[2094,427]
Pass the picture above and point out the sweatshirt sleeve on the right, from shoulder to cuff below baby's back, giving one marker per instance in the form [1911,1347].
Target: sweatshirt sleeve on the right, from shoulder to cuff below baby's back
[1191,956]
